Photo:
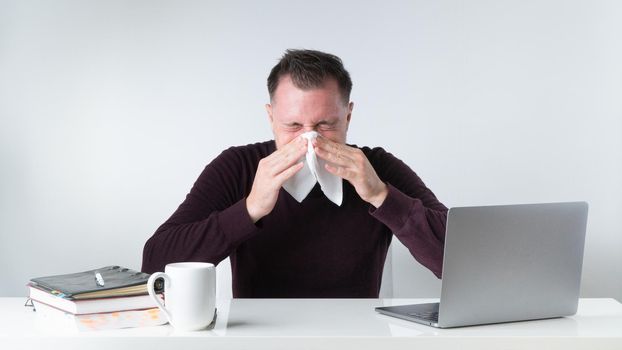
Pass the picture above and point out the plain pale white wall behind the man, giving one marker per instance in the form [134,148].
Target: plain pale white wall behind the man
[109,110]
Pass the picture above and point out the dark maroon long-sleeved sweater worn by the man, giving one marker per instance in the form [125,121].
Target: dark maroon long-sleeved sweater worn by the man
[300,250]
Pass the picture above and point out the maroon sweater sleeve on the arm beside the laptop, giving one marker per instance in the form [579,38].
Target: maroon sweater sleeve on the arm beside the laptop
[412,212]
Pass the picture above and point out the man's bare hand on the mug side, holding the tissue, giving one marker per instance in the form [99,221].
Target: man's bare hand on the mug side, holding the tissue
[272,172]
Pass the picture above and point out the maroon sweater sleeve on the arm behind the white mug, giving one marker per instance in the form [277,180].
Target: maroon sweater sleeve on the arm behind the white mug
[210,223]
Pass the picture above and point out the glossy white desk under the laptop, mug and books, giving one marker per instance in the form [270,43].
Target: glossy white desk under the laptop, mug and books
[323,323]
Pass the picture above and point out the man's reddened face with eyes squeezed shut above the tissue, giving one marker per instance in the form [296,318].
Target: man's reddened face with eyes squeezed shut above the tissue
[294,111]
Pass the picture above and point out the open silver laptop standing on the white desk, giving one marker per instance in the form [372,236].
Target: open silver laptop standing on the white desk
[506,263]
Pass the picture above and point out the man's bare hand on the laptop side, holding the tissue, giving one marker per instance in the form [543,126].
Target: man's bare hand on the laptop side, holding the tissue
[351,164]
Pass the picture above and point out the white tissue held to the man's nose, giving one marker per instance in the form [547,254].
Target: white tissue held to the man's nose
[312,172]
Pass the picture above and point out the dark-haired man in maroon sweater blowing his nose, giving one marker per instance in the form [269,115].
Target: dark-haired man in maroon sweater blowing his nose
[282,248]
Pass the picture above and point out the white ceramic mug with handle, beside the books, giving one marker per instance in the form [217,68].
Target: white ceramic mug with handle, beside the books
[189,294]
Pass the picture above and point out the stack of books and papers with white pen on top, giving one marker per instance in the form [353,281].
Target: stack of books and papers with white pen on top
[107,298]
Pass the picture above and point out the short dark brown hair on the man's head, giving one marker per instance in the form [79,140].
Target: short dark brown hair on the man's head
[309,69]
